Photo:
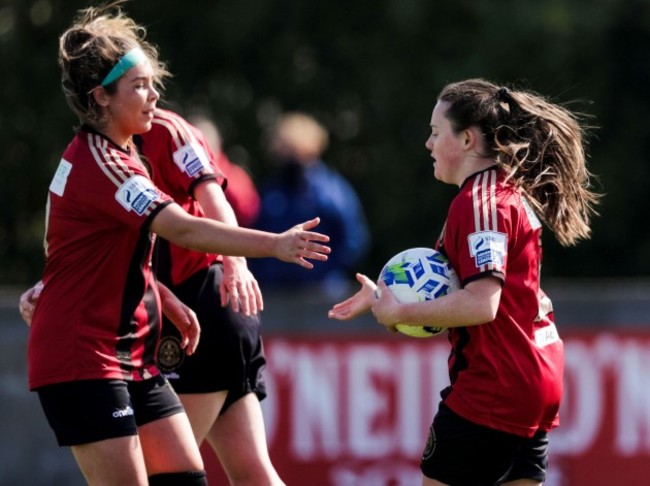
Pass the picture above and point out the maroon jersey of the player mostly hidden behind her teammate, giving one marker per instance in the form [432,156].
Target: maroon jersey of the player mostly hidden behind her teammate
[180,158]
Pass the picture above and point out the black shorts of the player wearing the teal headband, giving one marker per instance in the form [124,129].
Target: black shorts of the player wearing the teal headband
[86,411]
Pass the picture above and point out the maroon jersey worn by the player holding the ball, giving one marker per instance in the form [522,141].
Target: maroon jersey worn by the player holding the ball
[505,374]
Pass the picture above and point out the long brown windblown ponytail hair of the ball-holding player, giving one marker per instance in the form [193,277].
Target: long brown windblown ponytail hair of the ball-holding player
[540,146]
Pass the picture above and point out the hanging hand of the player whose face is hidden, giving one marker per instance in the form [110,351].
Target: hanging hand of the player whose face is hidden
[239,287]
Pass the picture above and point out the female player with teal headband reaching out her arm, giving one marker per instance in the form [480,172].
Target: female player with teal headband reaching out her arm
[95,329]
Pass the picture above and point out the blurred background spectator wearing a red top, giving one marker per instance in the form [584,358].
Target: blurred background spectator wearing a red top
[240,191]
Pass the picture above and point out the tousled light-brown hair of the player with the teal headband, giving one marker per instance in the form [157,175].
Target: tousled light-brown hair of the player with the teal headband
[88,50]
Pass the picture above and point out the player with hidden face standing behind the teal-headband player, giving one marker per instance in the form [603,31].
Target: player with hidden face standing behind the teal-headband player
[222,383]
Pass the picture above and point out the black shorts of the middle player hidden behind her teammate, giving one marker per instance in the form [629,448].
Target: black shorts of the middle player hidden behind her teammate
[230,354]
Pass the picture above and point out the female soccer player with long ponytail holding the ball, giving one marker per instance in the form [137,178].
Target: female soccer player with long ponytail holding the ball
[518,161]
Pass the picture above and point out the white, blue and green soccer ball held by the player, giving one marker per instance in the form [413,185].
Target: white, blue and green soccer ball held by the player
[417,275]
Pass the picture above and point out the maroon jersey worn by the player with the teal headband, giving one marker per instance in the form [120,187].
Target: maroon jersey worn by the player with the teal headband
[98,316]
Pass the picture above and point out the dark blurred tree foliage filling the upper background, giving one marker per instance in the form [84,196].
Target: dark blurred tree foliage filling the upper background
[370,70]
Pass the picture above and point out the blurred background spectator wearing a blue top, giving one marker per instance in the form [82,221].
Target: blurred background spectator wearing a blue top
[303,186]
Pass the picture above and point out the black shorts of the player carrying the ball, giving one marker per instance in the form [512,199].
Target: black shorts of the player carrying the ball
[461,452]
